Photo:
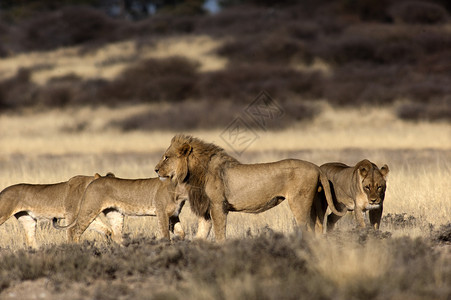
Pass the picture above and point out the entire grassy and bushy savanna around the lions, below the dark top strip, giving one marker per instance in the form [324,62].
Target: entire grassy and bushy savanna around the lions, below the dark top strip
[110,98]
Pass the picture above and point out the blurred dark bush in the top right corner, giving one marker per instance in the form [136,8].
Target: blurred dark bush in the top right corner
[418,12]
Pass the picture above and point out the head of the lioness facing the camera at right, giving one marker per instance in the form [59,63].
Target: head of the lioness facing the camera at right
[373,182]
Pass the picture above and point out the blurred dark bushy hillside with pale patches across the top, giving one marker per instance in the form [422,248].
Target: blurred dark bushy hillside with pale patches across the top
[200,63]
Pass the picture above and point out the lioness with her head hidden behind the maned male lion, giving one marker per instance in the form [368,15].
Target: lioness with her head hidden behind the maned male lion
[117,197]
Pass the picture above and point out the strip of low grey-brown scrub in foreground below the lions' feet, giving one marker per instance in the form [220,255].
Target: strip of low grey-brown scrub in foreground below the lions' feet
[270,265]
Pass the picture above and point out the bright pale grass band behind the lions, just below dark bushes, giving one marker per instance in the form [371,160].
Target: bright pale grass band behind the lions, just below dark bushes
[87,130]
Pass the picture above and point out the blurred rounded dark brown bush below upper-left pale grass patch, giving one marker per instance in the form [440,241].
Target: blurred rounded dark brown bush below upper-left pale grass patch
[170,79]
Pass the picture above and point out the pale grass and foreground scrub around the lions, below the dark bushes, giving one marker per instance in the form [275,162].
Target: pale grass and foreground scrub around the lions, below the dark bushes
[264,257]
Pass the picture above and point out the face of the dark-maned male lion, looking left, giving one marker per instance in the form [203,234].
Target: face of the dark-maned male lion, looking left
[174,163]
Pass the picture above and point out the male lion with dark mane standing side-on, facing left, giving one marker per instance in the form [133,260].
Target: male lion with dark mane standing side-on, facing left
[217,183]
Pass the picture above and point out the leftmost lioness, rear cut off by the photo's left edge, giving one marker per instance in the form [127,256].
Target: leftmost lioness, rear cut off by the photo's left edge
[29,202]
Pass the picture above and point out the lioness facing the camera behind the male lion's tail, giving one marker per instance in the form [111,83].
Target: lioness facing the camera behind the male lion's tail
[359,188]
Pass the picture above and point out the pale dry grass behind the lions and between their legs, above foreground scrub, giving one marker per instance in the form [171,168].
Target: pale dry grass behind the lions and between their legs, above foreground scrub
[46,147]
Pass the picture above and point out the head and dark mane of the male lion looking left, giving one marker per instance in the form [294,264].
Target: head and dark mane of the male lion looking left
[187,161]
